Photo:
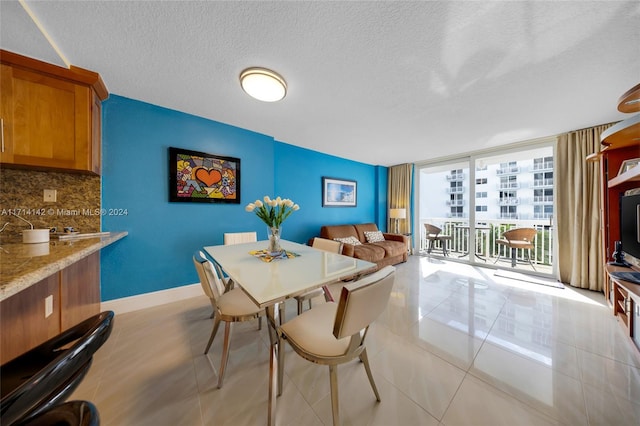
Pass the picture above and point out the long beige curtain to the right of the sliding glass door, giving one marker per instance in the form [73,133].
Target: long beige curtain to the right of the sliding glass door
[579,238]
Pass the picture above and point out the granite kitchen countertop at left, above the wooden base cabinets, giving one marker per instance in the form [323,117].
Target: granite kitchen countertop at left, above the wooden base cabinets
[22,265]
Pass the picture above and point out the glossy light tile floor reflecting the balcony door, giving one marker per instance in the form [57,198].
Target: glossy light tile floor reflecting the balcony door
[456,346]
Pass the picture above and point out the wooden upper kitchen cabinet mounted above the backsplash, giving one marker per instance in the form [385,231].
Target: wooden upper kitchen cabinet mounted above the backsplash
[51,116]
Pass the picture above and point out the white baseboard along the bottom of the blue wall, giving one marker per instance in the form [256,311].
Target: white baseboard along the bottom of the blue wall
[148,300]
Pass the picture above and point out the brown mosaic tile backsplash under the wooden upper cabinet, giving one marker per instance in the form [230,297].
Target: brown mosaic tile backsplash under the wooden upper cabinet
[77,201]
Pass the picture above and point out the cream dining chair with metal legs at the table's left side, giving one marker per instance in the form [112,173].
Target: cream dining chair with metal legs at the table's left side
[231,306]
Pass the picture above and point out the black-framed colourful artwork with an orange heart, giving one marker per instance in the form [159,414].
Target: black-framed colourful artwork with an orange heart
[203,178]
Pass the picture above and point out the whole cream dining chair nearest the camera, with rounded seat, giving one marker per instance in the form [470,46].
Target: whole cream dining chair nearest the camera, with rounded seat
[334,333]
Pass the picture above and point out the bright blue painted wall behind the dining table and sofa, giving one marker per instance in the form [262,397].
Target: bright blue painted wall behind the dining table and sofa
[156,255]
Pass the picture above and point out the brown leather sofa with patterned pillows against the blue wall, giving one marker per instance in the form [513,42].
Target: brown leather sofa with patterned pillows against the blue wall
[391,251]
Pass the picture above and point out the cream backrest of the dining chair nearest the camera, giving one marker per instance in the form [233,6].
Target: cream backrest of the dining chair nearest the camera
[362,302]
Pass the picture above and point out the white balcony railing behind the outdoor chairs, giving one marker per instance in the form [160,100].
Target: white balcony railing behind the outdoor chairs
[486,246]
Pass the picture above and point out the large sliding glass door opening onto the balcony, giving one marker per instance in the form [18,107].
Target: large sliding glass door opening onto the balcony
[475,199]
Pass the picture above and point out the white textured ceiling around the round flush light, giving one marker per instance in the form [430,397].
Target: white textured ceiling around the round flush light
[377,82]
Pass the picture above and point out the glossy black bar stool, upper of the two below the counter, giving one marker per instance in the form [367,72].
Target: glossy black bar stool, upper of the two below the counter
[45,376]
